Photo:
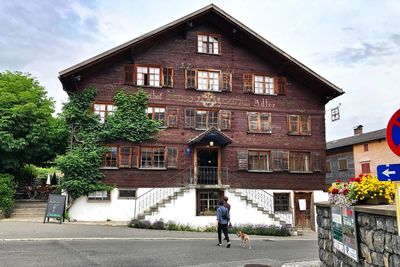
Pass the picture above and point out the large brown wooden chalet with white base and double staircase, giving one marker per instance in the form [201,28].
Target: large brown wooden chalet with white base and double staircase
[240,117]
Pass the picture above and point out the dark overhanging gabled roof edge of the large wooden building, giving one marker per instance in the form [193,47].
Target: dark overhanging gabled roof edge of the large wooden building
[239,31]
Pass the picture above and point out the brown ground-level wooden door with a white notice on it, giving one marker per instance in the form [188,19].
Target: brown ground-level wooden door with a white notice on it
[302,212]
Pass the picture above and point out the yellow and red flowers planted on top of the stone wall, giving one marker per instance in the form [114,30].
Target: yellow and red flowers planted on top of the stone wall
[364,189]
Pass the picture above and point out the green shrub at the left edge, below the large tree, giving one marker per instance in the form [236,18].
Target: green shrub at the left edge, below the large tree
[7,191]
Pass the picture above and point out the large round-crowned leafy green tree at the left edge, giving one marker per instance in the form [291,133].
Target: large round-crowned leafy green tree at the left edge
[29,134]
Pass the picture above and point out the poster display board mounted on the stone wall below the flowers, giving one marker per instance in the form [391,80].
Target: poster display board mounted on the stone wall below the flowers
[344,231]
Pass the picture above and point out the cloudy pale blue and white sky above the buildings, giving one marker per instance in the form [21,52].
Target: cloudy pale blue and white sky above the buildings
[353,44]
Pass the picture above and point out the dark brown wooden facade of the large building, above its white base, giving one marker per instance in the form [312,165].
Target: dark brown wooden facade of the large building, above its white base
[175,48]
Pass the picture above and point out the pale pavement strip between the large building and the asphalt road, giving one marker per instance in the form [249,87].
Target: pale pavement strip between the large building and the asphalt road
[25,230]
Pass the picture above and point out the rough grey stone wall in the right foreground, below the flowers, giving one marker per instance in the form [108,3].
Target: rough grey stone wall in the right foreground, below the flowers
[379,244]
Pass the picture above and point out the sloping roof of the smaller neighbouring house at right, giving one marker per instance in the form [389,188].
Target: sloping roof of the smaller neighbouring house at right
[357,139]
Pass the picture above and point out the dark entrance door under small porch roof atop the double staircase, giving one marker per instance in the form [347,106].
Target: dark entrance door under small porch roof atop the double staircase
[207,165]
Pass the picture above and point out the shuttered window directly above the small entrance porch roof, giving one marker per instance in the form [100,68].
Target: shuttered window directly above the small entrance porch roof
[203,119]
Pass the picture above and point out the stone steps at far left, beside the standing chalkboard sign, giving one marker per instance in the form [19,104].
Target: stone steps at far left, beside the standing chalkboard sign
[28,210]
